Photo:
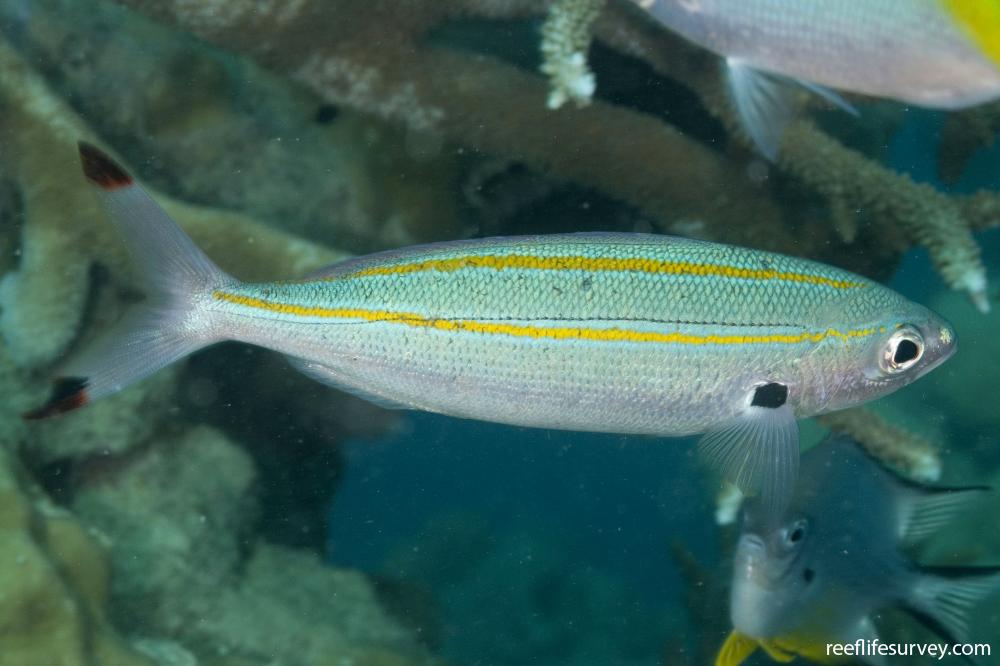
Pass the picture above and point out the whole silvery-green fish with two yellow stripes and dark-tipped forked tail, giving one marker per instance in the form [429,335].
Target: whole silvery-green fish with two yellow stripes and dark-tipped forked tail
[625,333]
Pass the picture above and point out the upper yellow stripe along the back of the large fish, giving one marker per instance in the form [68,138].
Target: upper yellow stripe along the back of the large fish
[602,264]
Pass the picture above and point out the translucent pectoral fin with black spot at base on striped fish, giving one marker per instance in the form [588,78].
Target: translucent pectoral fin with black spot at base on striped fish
[759,450]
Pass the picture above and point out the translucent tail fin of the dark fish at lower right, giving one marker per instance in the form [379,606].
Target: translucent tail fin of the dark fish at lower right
[943,597]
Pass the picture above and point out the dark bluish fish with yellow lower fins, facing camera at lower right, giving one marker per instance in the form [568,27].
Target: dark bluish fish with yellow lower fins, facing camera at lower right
[835,559]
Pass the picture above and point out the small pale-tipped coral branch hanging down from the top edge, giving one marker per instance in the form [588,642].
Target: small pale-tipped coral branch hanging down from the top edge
[566,38]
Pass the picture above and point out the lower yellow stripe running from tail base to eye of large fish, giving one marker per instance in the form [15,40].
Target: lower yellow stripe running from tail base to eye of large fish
[528,331]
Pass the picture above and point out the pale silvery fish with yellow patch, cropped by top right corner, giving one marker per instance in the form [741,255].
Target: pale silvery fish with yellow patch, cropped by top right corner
[936,53]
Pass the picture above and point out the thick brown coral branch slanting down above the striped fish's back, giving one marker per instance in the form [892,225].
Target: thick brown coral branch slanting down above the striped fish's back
[382,65]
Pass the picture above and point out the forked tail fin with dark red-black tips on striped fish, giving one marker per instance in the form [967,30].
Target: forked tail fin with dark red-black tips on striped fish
[176,276]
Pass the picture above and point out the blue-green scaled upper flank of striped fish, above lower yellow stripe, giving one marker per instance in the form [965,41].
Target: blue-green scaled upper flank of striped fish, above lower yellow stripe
[574,294]
